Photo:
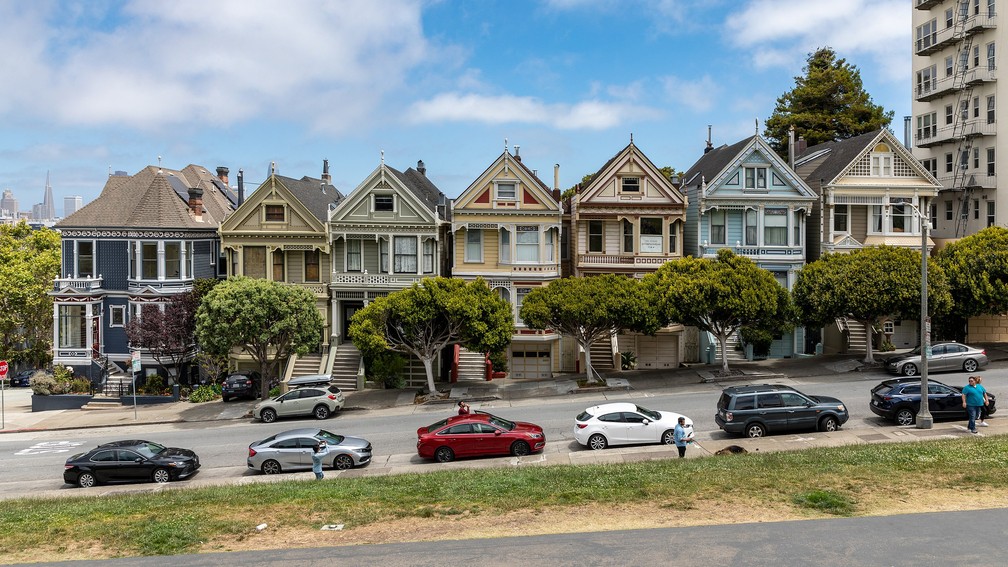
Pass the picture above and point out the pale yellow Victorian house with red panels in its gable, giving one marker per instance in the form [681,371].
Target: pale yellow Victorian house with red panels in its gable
[507,230]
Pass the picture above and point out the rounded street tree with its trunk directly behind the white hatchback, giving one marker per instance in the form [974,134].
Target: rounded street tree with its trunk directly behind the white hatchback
[587,309]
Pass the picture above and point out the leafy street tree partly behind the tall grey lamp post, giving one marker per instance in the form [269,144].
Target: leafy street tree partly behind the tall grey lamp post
[868,286]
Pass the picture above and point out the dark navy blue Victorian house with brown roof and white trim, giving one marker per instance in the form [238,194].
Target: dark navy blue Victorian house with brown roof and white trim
[147,238]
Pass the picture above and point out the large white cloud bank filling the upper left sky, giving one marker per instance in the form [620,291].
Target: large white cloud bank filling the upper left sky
[152,65]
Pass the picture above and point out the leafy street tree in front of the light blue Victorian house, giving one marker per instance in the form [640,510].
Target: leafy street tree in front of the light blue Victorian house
[718,296]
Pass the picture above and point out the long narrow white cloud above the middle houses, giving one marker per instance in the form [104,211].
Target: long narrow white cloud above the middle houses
[586,116]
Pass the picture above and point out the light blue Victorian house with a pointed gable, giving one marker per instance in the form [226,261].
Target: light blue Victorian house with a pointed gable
[745,198]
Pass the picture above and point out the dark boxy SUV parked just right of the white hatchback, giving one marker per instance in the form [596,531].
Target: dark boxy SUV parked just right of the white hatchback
[759,410]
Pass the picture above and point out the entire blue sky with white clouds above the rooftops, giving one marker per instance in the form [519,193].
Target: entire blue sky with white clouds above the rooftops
[93,86]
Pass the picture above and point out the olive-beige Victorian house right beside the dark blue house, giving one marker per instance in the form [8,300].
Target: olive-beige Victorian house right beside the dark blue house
[281,234]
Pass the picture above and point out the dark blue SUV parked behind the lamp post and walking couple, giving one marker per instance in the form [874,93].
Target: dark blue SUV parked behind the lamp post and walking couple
[899,400]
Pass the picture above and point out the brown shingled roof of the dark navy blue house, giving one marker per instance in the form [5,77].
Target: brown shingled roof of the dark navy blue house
[156,198]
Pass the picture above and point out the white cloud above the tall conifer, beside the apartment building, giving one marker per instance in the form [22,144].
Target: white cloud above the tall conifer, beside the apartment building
[784,33]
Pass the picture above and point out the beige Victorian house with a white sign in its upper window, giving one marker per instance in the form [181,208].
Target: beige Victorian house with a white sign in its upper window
[629,219]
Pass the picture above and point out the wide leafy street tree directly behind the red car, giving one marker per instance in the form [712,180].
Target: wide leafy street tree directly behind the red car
[431,316]
